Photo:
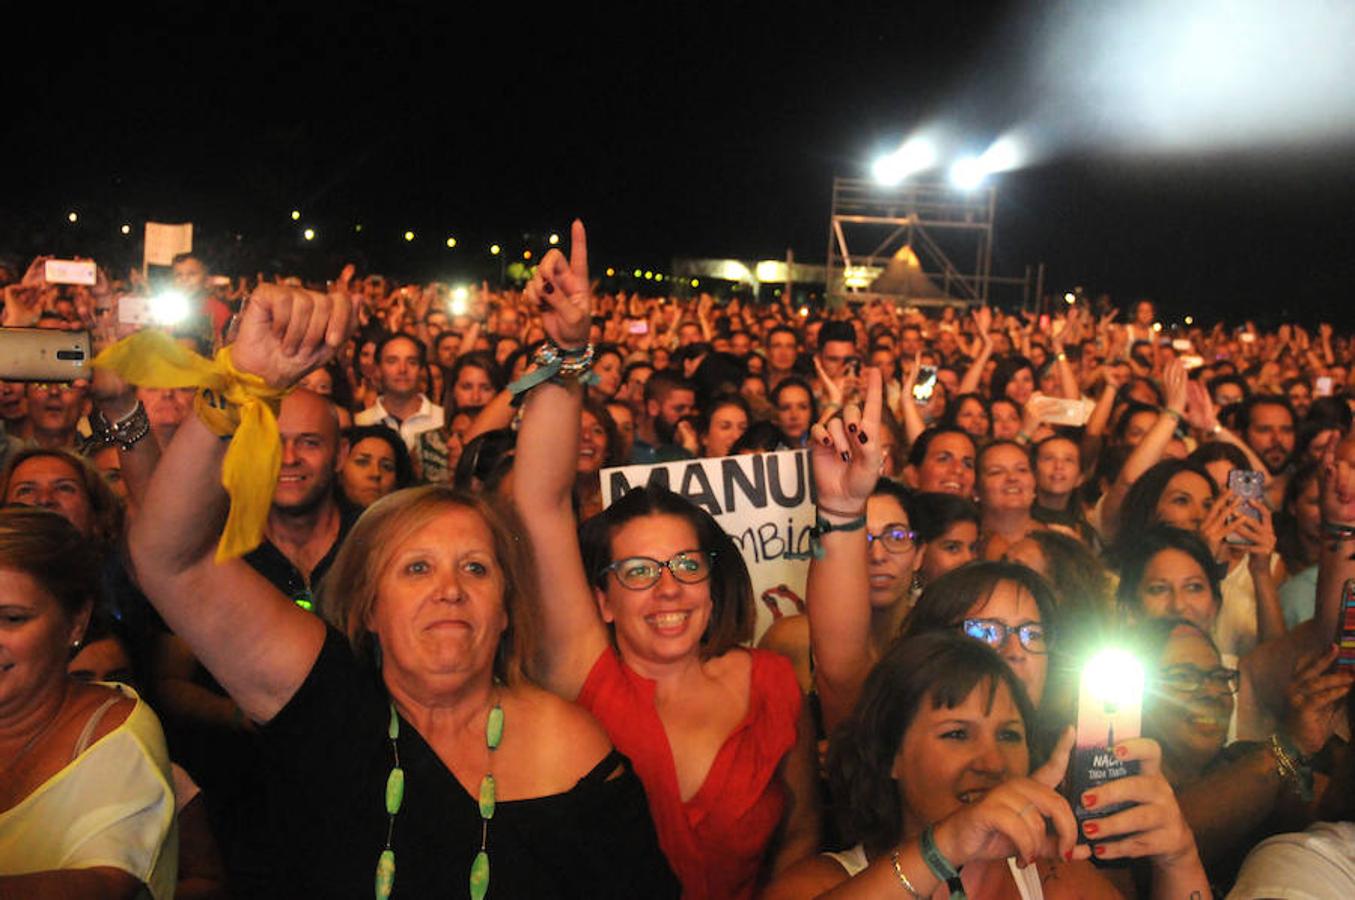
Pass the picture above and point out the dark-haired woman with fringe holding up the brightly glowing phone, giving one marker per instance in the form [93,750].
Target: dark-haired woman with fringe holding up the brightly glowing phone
[940,787]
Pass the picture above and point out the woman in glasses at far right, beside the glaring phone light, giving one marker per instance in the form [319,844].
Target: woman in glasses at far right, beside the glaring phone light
[1235,795]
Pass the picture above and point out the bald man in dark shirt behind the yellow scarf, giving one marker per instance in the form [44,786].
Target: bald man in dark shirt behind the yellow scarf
[307,523]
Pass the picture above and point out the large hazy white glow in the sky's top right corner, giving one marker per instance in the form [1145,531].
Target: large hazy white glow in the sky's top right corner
[1169,77]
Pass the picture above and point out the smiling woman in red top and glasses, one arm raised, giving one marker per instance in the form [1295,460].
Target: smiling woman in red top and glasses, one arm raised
[642,621]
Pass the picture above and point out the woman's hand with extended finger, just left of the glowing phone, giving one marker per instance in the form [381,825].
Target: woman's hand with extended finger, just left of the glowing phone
[1014,819]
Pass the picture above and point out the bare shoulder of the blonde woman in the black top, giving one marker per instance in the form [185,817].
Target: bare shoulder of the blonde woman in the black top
[566,742]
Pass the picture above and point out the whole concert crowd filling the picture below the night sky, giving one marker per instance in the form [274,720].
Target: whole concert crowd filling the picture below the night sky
[316,594]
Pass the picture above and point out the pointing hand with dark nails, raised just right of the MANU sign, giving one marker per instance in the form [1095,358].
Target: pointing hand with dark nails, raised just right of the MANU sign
[848,453]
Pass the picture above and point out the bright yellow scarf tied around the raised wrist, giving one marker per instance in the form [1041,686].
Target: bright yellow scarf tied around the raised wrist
[230,403]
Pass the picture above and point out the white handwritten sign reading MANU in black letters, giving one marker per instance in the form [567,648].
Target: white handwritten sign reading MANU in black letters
[764,502]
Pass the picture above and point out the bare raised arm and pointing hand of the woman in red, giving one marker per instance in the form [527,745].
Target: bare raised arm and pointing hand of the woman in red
[572,632]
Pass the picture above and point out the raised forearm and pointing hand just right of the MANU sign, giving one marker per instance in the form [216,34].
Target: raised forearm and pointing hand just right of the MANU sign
[846,464]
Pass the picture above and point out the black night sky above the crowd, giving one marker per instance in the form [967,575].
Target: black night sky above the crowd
[671,129]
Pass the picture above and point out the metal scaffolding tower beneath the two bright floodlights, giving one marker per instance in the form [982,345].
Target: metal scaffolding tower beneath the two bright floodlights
[902,243]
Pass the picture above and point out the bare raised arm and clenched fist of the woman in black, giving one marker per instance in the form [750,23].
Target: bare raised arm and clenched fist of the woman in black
[255,642]
